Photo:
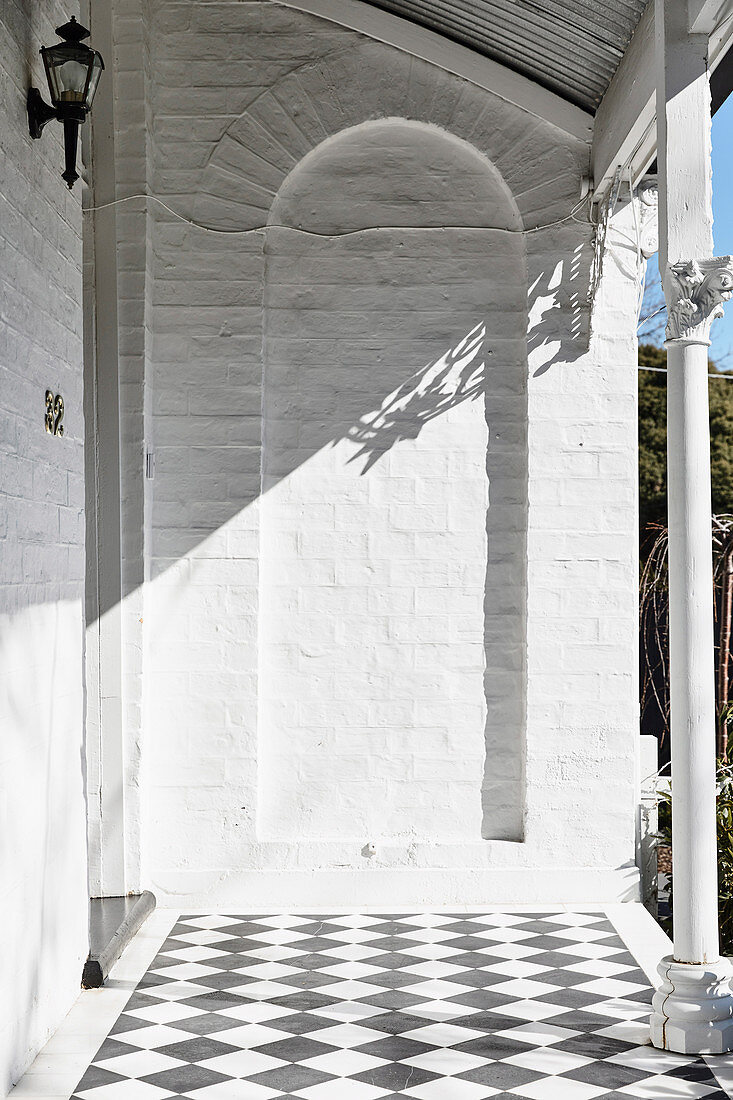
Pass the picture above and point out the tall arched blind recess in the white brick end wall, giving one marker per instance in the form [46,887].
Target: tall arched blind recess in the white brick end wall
[393,515]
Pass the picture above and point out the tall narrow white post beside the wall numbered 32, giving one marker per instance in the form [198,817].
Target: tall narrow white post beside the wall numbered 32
[105,717]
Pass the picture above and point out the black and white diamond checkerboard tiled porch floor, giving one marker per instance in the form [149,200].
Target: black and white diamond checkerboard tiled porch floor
[435,1007]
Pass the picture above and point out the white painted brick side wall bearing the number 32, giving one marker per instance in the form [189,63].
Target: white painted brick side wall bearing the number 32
[42,828]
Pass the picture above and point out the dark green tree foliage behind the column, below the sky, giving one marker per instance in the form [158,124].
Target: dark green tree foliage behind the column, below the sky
[653,439]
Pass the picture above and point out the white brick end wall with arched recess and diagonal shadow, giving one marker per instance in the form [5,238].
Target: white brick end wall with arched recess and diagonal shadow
[316,633]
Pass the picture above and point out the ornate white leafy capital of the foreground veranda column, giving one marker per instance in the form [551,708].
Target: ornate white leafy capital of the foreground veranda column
[696,291]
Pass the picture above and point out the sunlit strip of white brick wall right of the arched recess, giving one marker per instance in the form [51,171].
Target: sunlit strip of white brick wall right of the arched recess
[583,714]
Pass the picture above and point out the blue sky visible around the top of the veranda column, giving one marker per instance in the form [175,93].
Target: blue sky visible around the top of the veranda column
[721,350]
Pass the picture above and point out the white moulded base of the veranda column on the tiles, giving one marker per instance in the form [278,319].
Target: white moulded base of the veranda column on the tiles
[693,1009]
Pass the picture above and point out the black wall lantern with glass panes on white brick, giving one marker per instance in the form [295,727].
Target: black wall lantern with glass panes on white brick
[73,73]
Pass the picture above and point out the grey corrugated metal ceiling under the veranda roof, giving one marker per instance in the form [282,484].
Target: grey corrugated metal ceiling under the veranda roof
[572,47]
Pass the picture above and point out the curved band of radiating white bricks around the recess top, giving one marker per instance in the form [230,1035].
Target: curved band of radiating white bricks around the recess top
[538,168]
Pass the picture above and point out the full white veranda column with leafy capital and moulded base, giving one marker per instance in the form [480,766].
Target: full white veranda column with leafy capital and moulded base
[693,1010]
